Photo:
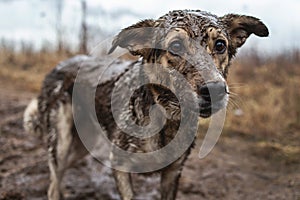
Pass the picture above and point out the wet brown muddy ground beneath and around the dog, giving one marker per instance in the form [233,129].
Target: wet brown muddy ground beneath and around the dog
[234,170]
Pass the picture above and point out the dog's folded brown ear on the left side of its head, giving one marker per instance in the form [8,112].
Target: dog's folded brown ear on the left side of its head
[136,38]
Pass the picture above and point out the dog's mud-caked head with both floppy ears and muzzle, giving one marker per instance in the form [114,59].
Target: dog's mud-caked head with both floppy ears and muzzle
[197,44]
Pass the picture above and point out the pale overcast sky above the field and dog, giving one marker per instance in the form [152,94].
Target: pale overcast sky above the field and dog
[34,20]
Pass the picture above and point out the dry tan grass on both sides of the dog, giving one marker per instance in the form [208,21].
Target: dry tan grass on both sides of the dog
[264,108]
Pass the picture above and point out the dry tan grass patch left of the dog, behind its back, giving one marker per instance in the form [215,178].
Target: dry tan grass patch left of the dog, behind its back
[27,70]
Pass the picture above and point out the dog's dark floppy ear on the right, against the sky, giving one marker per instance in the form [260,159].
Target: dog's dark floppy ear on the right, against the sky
[240,27]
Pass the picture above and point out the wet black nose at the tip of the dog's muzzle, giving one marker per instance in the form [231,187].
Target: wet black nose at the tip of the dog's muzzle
[213,91]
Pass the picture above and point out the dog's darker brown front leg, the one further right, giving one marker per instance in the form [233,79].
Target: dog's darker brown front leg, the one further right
[170,177]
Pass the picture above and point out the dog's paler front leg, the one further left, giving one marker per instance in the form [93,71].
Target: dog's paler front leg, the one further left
[124,184]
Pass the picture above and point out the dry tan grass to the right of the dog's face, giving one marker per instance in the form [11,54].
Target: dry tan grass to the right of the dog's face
[265,105]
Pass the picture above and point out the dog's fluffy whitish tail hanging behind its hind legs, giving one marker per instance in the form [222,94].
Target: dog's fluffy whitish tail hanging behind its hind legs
[31,121]
